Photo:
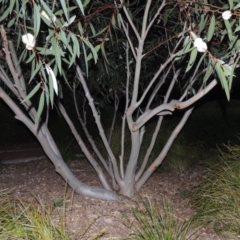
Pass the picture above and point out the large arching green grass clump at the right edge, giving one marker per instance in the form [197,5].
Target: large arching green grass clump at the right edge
[217,197]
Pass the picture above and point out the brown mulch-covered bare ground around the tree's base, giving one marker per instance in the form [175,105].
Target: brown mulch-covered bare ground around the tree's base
[25,178]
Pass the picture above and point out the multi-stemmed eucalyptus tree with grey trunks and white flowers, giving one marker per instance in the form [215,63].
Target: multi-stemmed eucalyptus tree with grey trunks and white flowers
[137,50]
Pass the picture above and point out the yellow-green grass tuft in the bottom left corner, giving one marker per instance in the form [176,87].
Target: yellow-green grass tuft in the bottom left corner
[20,220]
